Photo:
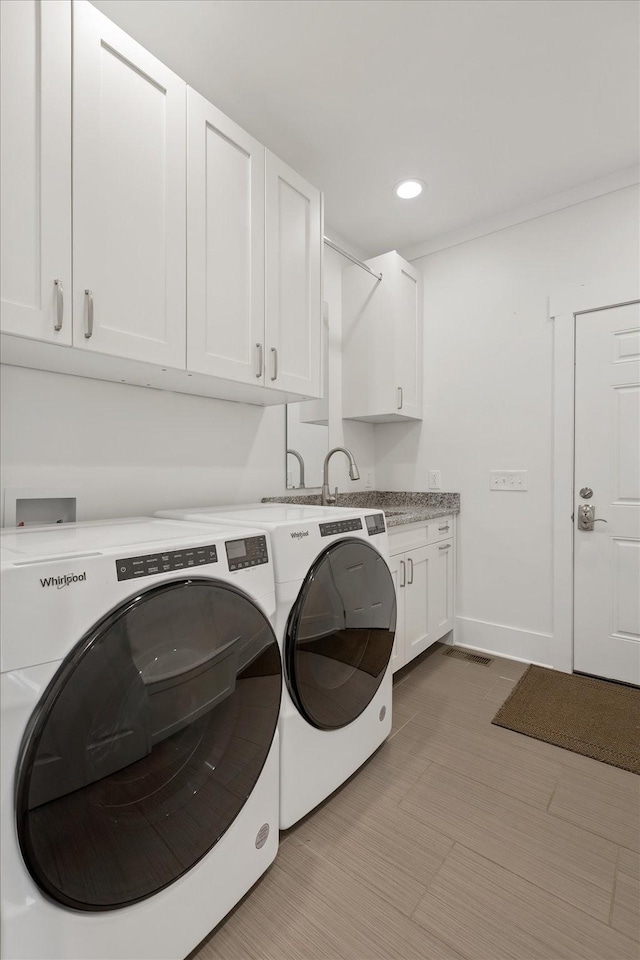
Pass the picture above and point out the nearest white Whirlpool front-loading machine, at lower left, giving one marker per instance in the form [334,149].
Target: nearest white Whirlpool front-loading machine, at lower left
[141,687]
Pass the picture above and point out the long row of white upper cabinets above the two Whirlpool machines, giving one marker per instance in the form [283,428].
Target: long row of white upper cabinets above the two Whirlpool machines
[231,310]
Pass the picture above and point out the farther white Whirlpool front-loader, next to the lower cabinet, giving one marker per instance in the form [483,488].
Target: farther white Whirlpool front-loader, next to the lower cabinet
[335,618]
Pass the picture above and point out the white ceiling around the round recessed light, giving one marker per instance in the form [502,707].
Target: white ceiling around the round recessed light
[495,103]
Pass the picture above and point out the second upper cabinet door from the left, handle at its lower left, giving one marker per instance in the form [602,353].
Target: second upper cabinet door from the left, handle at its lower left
[129,182]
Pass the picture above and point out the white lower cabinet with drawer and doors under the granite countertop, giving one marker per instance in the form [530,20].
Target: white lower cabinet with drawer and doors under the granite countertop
[422,566]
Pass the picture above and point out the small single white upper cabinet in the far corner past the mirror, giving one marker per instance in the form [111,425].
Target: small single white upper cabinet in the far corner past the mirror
[382,341]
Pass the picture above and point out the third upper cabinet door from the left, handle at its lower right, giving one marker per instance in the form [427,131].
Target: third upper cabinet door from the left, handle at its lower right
[225,244]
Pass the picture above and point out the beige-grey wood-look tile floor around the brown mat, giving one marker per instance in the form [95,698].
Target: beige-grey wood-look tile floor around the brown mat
[458,839]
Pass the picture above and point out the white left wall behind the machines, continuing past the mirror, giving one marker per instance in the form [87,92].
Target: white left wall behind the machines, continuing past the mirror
[127,450]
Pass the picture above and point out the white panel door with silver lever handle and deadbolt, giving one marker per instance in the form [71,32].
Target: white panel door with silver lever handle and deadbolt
[607,462]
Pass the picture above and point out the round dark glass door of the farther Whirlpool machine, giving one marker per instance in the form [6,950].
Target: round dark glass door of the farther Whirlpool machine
[340,634]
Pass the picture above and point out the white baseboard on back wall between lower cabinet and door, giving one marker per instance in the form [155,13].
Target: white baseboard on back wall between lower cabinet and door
[502,641]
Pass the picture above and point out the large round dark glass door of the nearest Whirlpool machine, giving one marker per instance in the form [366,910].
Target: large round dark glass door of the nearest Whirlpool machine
[147,743]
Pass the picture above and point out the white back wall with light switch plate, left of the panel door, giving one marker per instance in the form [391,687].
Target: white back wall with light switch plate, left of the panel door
[488,405]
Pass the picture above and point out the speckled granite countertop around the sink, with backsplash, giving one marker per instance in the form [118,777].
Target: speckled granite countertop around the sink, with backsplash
[399,506]
